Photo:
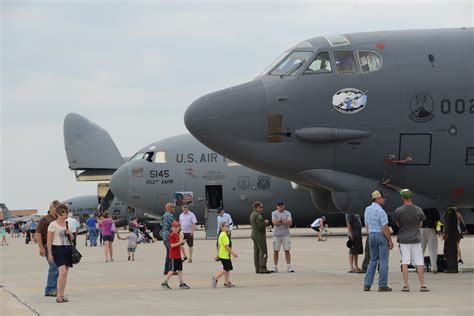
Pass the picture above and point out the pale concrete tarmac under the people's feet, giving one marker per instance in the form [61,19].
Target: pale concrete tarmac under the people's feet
[320,284]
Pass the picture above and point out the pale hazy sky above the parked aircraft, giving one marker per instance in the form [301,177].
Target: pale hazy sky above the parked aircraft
[133,67]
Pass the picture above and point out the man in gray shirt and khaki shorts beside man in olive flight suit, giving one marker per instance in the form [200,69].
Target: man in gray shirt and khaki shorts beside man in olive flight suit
[282,221]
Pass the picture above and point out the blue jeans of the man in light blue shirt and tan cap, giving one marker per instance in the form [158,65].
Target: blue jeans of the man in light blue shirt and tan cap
[379,251]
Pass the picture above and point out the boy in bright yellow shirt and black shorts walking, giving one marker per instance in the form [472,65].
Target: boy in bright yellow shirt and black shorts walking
[224,256]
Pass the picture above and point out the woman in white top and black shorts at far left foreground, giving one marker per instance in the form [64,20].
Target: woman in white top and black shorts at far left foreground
[60,249]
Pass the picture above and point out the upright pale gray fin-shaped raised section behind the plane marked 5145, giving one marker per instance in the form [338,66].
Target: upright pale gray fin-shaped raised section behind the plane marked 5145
[89,147]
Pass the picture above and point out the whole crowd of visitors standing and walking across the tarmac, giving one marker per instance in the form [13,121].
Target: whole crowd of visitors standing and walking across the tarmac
[56,234]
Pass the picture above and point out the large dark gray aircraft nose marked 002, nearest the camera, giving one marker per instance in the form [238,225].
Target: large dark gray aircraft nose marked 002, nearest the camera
[344,115]
